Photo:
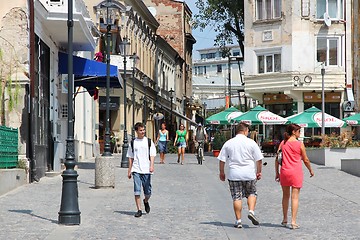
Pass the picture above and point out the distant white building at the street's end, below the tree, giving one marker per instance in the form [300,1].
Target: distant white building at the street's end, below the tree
[217,75]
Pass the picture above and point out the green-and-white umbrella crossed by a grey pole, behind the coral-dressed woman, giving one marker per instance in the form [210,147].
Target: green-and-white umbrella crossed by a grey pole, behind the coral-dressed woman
[311,118]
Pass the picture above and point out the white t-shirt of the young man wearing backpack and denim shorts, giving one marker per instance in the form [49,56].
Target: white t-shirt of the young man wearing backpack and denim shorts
[141,162]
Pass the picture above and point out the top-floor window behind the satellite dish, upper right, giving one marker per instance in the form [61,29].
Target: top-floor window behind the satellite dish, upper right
[333,7]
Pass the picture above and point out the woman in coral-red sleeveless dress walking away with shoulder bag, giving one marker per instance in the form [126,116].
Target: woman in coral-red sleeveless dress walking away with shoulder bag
[291,175]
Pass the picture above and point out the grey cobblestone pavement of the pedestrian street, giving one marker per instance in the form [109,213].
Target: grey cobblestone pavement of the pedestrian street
[188,202]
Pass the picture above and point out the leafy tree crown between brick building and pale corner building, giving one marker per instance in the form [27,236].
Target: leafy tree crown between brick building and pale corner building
[227,18]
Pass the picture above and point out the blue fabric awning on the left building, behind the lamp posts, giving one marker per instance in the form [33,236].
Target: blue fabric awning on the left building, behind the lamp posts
[89,73]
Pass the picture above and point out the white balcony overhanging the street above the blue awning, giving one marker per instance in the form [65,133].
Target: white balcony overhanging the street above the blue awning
[53,15]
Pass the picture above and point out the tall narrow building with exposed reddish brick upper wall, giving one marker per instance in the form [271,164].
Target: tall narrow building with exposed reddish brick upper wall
[174,18]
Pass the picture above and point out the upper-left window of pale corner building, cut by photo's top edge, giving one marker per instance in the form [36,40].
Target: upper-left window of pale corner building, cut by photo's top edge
[268,9]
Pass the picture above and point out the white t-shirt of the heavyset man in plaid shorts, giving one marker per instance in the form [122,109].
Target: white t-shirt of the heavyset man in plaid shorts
[241,154]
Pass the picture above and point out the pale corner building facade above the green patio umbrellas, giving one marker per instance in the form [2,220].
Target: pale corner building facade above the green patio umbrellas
[287,44]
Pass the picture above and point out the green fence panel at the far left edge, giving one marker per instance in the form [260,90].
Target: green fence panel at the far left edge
[8,147]
